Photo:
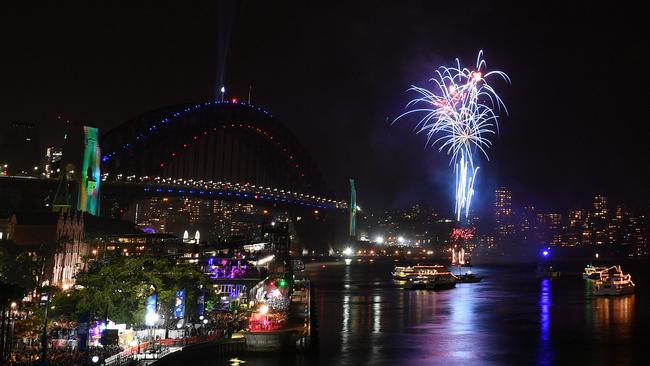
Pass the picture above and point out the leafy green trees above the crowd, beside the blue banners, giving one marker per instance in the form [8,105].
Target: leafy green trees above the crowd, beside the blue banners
[121,284]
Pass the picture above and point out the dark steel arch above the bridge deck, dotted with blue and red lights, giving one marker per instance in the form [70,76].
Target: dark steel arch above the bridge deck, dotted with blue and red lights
[211,141]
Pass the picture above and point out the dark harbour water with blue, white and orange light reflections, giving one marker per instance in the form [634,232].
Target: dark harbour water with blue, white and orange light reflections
[510,318]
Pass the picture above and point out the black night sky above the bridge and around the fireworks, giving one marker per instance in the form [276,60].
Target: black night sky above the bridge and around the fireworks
[337,76]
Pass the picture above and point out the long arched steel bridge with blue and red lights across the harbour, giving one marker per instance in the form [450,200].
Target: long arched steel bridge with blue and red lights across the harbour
[225,150]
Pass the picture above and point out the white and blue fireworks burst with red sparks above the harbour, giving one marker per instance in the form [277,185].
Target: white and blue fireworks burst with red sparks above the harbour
[459,117]
